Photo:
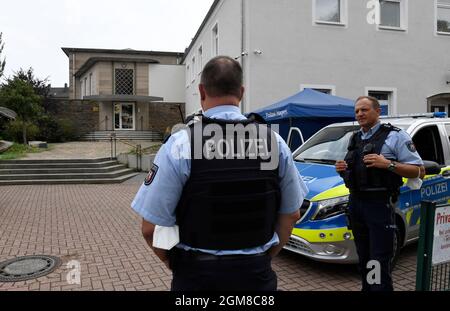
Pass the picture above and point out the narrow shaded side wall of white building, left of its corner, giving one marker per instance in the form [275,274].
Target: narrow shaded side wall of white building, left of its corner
[227,16]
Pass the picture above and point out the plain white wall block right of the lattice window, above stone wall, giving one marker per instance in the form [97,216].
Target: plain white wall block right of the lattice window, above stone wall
[167,81]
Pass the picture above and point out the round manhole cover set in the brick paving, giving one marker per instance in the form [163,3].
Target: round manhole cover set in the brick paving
[27,268]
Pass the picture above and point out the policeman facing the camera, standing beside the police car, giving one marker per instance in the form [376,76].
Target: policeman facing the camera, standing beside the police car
[379,155]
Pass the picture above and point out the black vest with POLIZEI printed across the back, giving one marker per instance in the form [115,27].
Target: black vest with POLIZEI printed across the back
[229,203]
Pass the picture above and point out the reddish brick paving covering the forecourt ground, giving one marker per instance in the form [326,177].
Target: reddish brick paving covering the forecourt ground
[95,225]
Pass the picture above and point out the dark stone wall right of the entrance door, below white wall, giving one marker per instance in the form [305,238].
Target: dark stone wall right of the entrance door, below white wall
[164,115]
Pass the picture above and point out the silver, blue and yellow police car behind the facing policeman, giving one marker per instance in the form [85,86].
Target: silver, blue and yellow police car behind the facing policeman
[322,232]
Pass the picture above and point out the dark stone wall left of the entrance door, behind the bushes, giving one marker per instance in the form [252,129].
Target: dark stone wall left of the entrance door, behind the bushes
[83,114]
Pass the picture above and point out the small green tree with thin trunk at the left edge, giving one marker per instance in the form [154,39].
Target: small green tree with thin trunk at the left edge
[20,96]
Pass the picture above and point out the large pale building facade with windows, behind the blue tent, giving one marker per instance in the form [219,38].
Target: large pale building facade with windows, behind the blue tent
[342,47]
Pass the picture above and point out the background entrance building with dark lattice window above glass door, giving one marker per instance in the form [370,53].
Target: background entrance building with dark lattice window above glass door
[127,90]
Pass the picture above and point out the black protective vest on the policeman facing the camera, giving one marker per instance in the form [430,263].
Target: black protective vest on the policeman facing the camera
[360,178]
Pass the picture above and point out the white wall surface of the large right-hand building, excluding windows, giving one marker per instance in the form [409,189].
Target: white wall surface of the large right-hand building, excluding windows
[351,58]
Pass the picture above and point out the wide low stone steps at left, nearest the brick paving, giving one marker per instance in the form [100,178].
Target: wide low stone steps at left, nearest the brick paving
[76,171]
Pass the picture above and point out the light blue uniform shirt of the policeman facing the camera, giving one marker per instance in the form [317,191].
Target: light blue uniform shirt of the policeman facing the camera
[397,146]
